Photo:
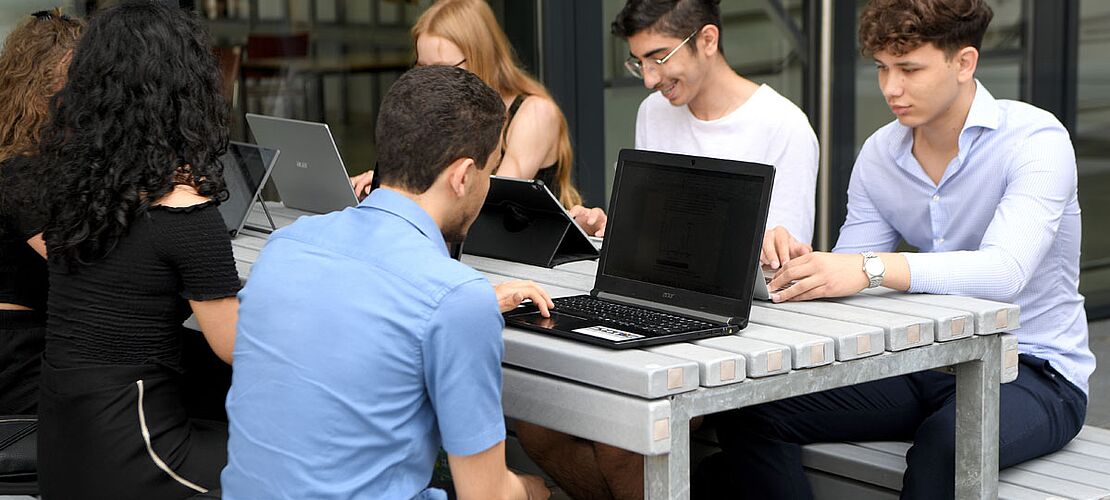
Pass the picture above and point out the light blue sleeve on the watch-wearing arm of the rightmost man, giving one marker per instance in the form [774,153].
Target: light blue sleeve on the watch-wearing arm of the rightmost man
[1041,186]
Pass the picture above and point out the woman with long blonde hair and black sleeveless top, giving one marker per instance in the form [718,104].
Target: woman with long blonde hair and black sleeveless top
[536,143]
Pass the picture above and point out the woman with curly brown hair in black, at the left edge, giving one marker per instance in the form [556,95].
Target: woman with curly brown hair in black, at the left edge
[33,68]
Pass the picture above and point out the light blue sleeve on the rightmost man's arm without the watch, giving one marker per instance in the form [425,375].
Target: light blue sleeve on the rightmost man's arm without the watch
[865,229]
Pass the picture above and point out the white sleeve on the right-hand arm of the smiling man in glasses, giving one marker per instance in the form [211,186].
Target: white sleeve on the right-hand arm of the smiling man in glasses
[793,199]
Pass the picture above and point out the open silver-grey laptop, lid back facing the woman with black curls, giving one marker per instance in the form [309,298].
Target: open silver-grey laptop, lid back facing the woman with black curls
[310,174]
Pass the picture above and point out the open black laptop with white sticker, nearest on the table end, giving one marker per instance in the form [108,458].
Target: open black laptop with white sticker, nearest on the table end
[681,252]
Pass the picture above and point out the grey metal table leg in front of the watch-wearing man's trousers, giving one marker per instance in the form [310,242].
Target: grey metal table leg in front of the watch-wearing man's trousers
[977,389]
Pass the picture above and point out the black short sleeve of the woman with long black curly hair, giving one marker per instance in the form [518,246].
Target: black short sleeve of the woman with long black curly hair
[196,243]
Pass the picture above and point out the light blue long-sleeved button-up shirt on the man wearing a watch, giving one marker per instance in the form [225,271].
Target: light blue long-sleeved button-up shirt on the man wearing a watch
[1003,225]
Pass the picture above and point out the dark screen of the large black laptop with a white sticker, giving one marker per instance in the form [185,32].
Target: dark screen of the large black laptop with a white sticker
[684,228]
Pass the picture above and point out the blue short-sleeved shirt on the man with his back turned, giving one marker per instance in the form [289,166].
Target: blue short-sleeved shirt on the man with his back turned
[361,349]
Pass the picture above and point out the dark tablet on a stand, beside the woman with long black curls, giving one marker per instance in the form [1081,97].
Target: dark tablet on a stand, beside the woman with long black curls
[246,172]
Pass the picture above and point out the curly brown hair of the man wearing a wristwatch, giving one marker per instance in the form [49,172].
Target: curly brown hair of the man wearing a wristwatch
[903,26]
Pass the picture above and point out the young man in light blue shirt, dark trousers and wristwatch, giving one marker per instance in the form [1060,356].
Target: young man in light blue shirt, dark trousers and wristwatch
[986,191]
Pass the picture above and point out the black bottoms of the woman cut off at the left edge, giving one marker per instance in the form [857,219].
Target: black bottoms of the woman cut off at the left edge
[22,344]
